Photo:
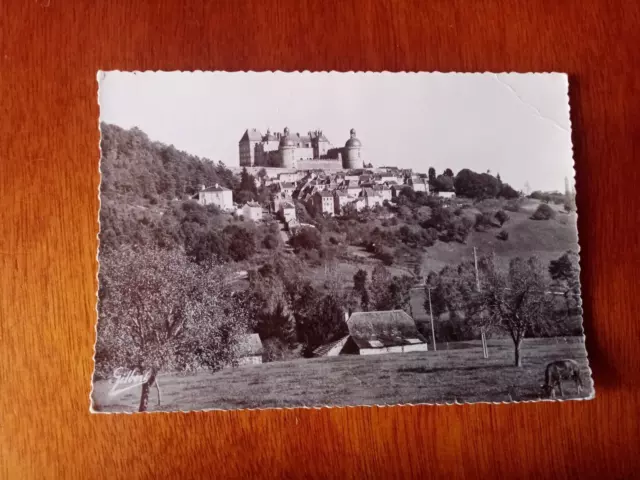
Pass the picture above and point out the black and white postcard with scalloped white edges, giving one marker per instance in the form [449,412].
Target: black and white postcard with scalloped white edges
[326,239]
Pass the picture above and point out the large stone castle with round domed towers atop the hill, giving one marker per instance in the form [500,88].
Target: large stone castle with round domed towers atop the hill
[291,150]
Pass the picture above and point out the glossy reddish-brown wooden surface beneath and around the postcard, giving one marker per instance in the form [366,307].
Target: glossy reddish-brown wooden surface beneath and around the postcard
[50,51]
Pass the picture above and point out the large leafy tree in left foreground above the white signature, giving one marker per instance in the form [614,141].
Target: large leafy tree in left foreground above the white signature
[158,311]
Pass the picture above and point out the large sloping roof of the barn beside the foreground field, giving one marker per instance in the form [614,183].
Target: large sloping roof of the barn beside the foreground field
[383,329]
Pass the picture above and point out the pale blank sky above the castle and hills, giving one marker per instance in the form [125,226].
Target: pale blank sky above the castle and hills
[516,125]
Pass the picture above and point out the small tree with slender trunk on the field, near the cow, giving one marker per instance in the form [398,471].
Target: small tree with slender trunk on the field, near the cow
[517,301]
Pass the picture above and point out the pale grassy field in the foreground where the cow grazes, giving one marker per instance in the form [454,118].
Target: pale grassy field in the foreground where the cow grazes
[459,374]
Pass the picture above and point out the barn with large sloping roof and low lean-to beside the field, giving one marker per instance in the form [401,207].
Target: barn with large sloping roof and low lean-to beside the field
[372,333]
